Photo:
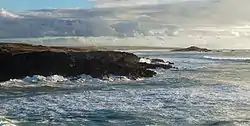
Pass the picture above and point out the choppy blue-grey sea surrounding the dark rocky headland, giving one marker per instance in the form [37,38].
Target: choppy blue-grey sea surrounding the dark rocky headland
[208,89]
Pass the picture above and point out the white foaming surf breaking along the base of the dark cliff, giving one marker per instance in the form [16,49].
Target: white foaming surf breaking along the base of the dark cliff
[60,81]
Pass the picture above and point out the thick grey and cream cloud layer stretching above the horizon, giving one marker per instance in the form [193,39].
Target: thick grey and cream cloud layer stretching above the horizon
[182,23]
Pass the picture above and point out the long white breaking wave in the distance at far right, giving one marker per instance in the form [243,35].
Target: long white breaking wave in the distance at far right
[221,58]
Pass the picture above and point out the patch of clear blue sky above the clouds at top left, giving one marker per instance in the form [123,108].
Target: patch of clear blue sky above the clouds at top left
[21,5]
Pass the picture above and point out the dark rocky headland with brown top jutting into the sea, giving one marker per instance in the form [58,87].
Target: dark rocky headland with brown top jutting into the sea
[20,60]
